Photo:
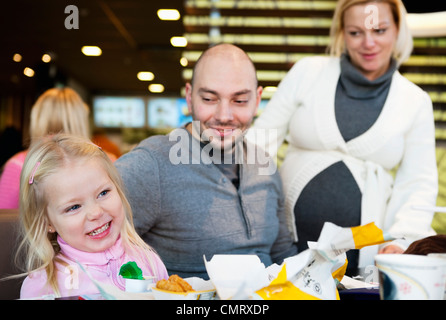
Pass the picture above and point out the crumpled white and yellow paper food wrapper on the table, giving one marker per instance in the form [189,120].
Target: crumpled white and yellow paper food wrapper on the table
[314,273]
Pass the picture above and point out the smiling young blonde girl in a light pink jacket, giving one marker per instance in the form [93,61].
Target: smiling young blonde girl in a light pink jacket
[73,210]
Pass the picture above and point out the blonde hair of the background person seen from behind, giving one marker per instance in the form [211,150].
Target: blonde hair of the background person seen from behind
[59,110]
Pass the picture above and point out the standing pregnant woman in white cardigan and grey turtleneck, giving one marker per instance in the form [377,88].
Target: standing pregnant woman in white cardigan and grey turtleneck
[349,119]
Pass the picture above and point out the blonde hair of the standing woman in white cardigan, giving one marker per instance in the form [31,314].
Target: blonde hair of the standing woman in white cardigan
[404,42]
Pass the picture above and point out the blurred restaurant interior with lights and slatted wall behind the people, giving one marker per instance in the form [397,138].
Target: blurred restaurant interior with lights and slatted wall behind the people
[41,47]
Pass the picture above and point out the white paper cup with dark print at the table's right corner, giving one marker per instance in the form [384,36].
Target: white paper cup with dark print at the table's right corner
[411,277]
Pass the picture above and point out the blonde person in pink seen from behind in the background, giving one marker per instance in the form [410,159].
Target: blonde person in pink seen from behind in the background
[56,110]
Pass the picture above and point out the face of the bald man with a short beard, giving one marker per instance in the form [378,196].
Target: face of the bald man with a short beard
[223,99]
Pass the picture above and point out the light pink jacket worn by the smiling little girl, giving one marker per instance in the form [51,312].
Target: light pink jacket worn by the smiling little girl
[102,266]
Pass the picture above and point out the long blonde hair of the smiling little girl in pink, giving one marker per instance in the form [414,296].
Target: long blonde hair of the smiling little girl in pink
[41,247]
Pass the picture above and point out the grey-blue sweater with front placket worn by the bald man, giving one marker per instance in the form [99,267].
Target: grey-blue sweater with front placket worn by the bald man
[186,208]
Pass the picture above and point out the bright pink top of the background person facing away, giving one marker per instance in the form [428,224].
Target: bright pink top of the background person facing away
[10,181]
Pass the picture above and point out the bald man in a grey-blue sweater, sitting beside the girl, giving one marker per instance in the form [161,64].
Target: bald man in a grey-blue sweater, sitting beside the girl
[197,190]
